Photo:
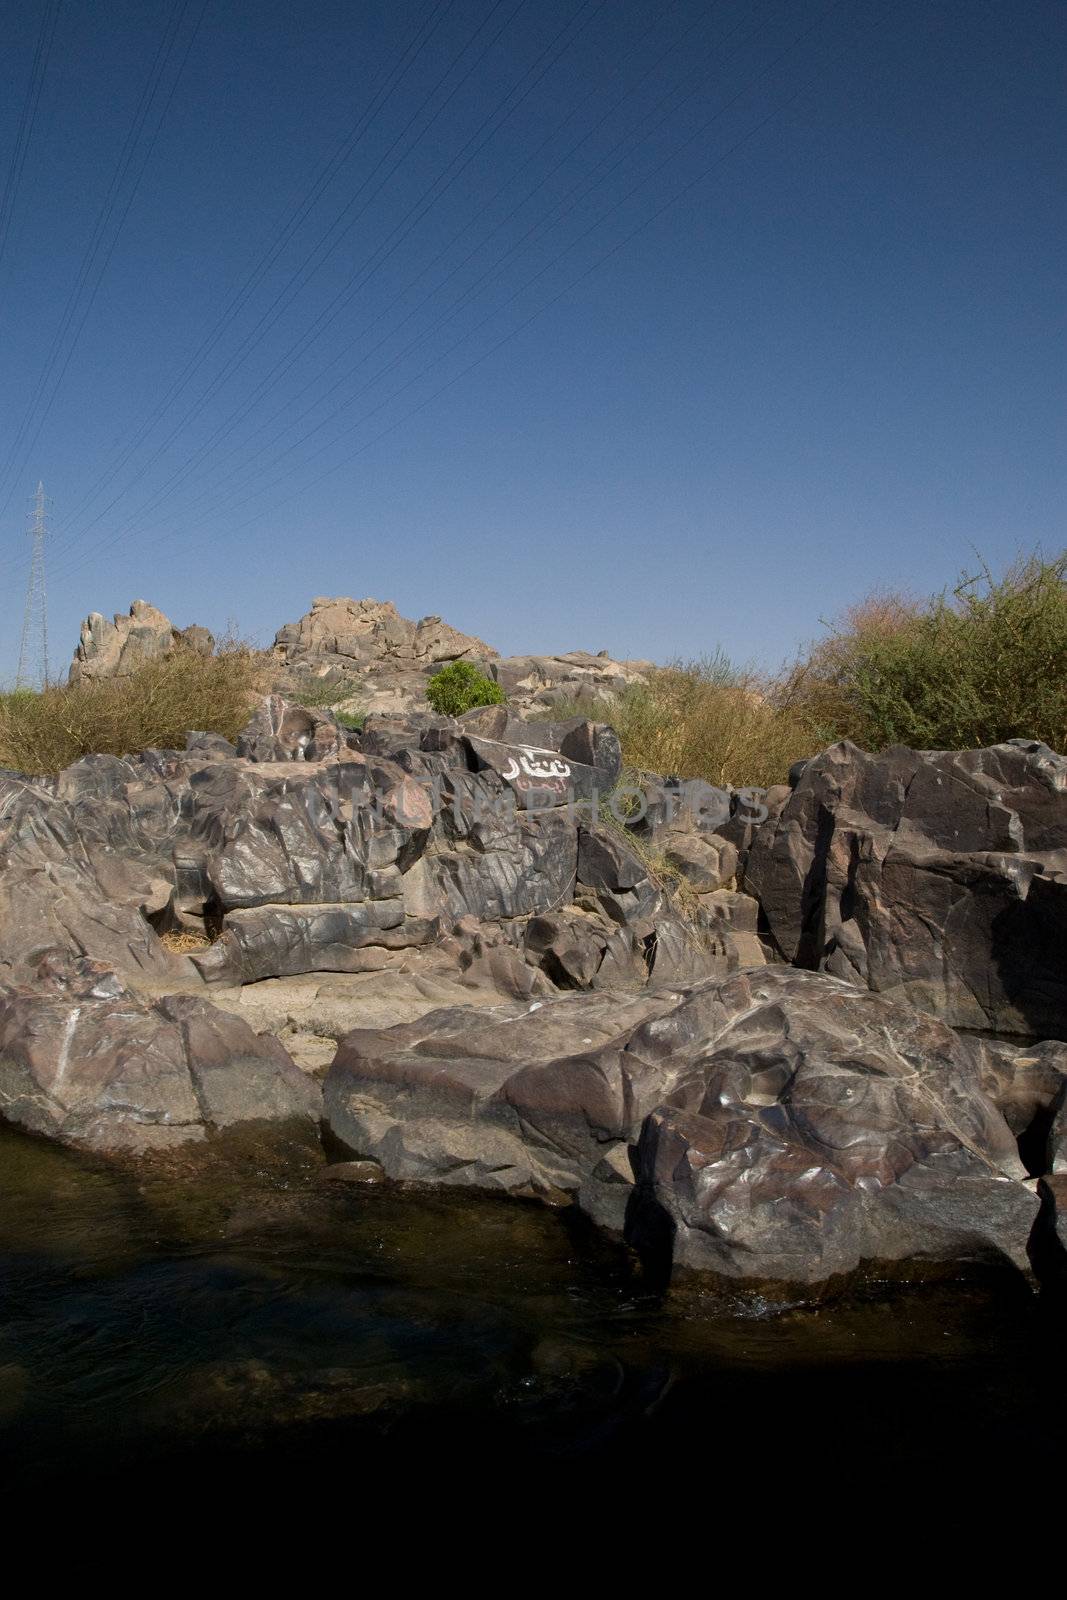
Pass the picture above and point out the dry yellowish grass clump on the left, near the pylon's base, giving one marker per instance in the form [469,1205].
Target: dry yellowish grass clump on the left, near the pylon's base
[159,705]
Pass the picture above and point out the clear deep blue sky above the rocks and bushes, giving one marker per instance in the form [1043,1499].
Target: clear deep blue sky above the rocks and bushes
[826,356]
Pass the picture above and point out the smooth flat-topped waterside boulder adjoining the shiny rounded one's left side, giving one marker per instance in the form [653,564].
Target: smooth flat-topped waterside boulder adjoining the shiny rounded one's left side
[522,1100]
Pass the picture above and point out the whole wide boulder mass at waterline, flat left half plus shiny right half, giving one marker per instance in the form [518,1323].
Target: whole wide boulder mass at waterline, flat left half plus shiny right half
[772,1127]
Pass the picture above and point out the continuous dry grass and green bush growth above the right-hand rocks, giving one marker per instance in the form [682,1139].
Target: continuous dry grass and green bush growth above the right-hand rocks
[973,666]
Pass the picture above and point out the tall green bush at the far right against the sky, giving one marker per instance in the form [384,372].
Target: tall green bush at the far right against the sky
[965,670]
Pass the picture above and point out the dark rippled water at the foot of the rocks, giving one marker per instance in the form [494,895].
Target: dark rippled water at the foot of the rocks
[239,1316]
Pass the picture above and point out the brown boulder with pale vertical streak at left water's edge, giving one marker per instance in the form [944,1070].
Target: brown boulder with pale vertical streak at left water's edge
[86,1062]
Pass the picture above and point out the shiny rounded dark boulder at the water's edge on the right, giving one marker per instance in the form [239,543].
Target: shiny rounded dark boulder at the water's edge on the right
[825,1129]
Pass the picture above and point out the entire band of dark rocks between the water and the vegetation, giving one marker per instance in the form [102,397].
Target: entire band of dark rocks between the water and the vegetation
[433,945]
